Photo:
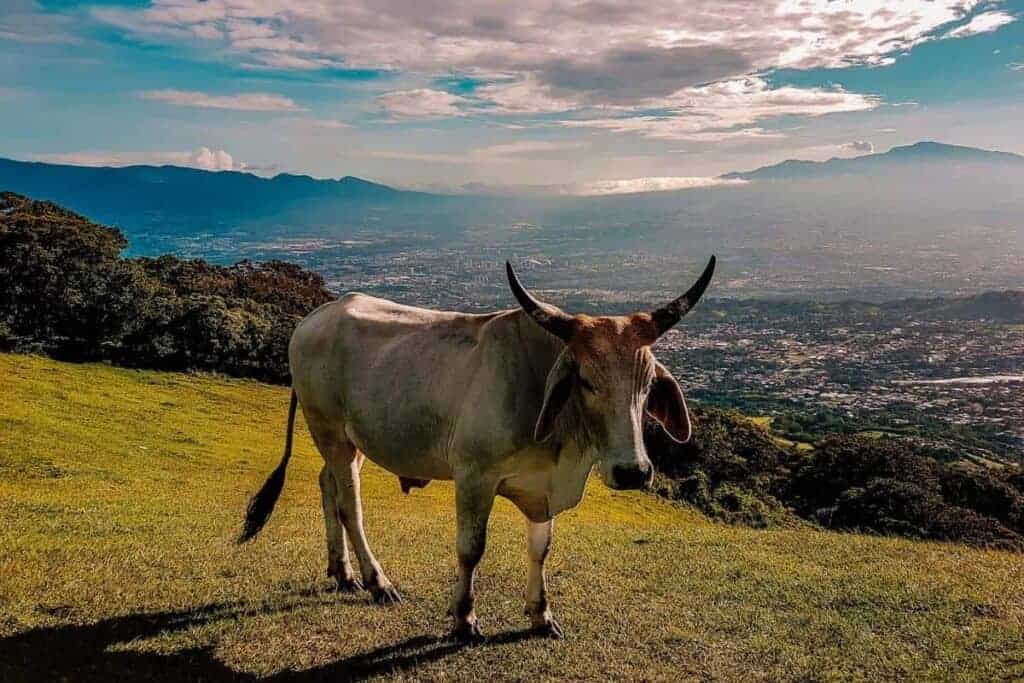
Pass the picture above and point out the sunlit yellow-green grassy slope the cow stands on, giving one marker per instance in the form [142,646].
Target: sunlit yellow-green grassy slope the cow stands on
[121,493]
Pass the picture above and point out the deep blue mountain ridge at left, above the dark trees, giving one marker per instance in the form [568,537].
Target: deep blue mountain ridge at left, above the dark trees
[161,201]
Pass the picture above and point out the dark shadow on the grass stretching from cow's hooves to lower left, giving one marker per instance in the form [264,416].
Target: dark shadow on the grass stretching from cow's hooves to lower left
[91,653]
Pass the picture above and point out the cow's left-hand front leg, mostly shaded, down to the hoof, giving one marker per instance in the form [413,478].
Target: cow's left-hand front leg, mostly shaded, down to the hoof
[475,499]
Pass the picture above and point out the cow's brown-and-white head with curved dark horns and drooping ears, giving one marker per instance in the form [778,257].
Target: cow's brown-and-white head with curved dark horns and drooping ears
[607,378]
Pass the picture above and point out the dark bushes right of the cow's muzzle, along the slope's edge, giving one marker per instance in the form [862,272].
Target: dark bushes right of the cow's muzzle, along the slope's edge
[735,472]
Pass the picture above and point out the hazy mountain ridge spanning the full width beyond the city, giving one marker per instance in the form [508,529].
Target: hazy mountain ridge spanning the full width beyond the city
[916,186]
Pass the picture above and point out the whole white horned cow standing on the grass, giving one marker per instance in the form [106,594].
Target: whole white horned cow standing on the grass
[521,404]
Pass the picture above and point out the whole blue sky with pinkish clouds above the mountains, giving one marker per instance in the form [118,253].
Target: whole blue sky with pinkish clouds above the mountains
[591,95]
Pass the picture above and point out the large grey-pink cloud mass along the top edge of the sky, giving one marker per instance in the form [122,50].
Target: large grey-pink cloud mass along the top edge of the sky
[620,50]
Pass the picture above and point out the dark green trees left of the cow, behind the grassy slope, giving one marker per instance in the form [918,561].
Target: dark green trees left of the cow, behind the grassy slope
[65,290]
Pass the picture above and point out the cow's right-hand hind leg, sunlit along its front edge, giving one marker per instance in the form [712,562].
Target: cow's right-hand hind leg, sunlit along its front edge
[346,463]
